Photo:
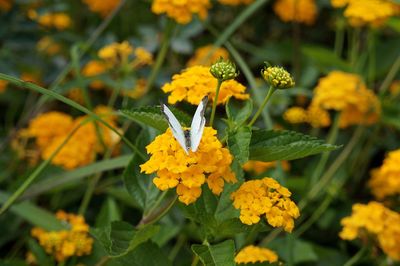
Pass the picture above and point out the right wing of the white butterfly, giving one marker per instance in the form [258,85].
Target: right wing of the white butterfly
[198,123]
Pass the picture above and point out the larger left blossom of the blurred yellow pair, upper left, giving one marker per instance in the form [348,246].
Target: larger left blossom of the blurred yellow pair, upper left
[116,54]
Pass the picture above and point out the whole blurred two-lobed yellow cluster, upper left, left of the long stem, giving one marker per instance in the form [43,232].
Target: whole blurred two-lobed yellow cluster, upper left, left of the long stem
[118,54]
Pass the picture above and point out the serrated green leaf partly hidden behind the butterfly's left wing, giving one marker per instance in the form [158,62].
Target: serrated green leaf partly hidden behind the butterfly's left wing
[152,116]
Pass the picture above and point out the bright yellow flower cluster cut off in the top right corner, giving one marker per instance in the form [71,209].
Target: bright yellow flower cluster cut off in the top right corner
[367,12]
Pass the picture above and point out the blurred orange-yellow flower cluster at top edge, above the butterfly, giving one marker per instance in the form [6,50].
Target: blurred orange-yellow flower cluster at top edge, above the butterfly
[181,11]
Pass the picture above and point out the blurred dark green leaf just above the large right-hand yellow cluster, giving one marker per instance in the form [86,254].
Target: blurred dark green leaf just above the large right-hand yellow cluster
[324,58]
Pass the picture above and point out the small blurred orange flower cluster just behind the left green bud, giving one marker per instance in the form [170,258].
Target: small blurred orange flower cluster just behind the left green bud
[207,55]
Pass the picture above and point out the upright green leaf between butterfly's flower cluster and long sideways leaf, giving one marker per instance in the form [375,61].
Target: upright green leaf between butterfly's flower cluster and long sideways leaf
[238,142]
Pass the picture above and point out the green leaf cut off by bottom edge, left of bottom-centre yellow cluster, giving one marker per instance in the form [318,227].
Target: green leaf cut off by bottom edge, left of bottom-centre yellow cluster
[221,254]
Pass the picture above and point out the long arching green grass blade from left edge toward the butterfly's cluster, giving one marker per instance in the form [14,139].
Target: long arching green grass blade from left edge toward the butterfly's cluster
[61,98]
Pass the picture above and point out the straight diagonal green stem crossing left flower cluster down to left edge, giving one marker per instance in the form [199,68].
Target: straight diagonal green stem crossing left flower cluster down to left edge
[37,171]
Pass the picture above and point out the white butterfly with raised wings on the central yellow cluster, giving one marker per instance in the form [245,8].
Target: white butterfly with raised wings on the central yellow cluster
[188,139]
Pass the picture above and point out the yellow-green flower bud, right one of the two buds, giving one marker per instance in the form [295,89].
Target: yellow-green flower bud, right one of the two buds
[277,77]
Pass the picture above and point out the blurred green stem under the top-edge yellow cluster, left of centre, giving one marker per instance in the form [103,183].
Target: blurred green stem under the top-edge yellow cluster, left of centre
[161,54]
